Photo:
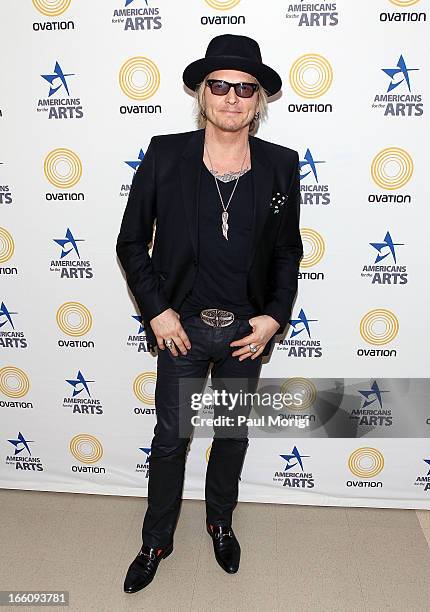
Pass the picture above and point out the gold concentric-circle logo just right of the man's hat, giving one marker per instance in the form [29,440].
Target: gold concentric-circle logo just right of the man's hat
[311,76]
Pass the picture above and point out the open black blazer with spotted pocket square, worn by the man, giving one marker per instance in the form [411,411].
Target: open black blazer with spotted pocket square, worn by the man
[166,187]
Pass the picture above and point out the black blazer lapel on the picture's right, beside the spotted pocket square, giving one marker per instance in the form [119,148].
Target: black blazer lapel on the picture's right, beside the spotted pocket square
[262,172]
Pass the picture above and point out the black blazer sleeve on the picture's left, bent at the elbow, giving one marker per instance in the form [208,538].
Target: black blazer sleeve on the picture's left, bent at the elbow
[135,235]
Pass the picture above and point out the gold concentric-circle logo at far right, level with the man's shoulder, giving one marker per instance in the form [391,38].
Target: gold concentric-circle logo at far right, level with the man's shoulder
[392,168]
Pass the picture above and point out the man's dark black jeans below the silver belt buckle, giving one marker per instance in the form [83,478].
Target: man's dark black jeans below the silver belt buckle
[170,442]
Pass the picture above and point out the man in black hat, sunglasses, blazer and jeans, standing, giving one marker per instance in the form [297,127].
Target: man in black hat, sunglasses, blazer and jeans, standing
[220,282]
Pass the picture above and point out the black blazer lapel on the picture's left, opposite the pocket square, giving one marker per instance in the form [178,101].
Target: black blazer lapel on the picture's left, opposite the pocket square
[190,170]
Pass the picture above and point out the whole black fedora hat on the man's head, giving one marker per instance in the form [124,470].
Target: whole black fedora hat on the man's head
[234,52]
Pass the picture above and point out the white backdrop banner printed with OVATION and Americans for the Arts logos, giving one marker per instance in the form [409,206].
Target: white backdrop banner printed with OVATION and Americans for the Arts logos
[84,86]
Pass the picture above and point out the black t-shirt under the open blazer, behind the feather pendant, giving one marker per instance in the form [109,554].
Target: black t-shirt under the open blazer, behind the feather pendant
[221,280]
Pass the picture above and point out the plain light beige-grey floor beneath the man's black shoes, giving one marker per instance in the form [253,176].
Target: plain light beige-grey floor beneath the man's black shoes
[294,558]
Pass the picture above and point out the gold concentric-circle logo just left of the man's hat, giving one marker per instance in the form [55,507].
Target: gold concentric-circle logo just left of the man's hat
[139,78]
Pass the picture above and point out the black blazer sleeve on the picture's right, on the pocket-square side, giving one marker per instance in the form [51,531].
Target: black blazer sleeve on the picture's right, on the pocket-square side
[288,251]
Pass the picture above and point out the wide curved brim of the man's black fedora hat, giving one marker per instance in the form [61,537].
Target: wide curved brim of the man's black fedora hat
[195,72]
